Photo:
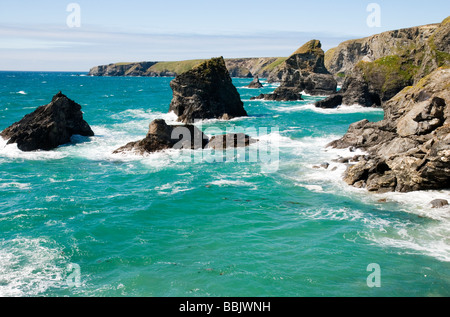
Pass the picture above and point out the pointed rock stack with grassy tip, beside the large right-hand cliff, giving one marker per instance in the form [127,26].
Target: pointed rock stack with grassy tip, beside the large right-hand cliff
[303,71]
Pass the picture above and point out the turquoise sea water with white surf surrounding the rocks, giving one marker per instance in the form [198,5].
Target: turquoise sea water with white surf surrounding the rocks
[179,224]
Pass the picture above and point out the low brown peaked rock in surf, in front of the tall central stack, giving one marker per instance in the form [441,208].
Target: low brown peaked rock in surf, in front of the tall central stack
[161,136]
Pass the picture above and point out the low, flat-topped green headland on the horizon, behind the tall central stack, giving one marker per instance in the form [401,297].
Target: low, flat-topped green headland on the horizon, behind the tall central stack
[237,67]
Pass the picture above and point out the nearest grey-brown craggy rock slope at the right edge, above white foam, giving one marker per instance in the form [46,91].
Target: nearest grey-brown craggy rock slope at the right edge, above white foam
[410,149]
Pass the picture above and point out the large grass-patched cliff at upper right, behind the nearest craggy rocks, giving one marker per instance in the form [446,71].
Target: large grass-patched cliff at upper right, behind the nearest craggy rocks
[378,67]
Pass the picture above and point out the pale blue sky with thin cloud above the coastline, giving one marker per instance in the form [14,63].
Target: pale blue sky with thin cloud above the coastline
[75,35]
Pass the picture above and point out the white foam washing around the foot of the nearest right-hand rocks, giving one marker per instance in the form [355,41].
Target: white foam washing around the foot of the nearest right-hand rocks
[426,234]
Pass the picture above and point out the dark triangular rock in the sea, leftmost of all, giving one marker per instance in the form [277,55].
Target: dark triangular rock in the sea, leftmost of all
[48,126]
